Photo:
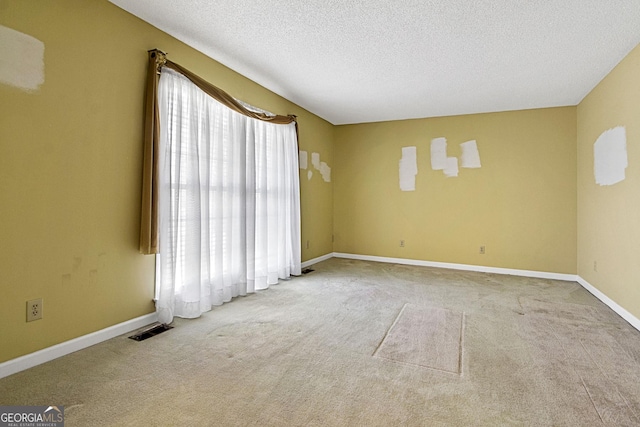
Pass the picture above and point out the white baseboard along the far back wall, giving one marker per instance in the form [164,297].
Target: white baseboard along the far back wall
[465,267]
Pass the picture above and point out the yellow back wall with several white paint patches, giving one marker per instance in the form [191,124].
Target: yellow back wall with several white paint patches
[521,204]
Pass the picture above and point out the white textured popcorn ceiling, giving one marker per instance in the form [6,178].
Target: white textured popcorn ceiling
[354,61]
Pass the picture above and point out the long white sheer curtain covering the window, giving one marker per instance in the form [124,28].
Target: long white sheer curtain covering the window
[229,204]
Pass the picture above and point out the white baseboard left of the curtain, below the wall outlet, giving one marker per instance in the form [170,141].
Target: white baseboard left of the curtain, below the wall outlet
[13,366]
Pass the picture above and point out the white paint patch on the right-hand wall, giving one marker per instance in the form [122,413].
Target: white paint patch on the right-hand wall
[610,156]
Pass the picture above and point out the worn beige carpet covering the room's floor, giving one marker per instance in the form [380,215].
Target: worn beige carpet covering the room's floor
[363,344]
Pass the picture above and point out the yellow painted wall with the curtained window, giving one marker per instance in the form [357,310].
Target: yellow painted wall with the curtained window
[70,171]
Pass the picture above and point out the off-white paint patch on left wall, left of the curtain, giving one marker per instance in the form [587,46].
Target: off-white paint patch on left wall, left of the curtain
[21,60]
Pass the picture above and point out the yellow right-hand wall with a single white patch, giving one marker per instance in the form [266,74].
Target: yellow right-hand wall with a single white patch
[609,216]
